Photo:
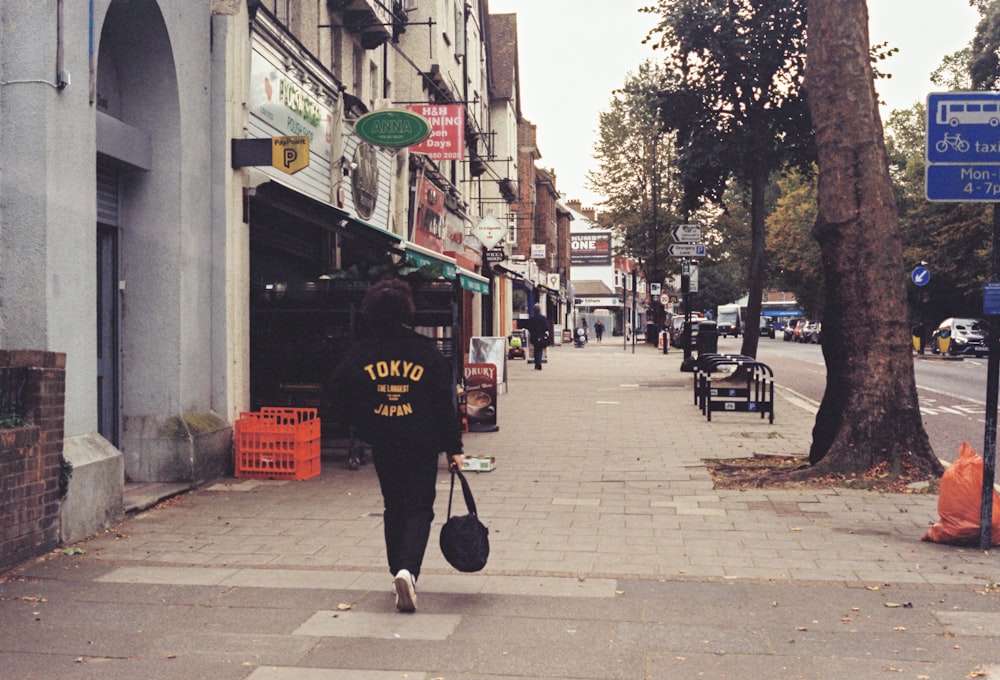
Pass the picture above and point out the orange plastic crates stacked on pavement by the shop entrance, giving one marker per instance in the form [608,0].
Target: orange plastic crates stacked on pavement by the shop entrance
[277,443]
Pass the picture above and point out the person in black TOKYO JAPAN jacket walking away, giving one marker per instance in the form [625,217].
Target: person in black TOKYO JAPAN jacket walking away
[397,389]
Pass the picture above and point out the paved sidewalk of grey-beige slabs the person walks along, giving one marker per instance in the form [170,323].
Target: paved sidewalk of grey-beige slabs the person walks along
[612,557]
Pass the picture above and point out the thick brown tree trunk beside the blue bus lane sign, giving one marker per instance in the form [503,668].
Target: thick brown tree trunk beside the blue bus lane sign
[869,414]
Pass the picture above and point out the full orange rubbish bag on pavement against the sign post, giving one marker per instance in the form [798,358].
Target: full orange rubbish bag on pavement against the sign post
[961,502]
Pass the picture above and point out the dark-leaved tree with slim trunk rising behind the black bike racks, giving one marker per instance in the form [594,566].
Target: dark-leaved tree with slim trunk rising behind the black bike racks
[736,104]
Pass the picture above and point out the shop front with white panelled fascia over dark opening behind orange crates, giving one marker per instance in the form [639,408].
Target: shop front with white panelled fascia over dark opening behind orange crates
[318,236]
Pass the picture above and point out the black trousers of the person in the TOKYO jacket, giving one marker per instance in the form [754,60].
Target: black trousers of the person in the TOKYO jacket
[407,479]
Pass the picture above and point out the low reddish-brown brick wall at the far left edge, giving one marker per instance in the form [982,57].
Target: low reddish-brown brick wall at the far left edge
[30,460]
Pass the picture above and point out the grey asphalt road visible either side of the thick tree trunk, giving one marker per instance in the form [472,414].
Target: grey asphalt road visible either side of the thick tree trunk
[952,392]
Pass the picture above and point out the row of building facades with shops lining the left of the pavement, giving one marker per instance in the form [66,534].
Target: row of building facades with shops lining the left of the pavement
[159,224]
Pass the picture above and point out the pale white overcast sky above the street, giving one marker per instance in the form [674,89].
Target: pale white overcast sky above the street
[573,53]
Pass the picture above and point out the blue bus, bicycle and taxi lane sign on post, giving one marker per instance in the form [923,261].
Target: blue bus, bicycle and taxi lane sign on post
[963,147]
